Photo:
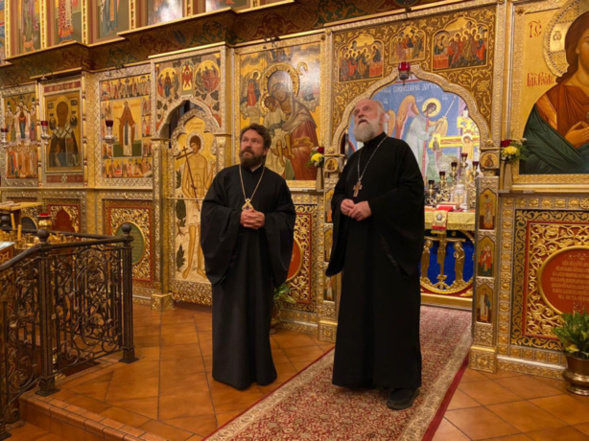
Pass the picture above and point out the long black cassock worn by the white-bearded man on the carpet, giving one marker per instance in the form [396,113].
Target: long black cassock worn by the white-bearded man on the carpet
[377,342]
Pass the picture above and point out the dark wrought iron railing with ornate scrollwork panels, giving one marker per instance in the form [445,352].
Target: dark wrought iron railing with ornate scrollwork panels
[63,303]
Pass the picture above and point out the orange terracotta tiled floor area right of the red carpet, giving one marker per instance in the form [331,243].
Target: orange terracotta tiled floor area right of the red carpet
[509,406]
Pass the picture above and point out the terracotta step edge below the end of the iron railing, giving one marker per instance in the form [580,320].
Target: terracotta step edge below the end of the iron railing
[72,423]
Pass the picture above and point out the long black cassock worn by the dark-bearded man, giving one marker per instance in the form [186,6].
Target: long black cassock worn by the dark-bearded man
[244,266]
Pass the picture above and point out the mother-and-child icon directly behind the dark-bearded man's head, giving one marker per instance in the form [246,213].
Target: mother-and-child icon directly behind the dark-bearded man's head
[280,87]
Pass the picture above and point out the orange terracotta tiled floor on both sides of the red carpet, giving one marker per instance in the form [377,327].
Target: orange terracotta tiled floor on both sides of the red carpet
[170,392]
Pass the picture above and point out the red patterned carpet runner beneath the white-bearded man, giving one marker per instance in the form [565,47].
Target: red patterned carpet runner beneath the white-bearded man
[309,407]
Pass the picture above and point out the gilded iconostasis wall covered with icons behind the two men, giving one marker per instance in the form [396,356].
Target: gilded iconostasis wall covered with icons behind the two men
[469,80]
